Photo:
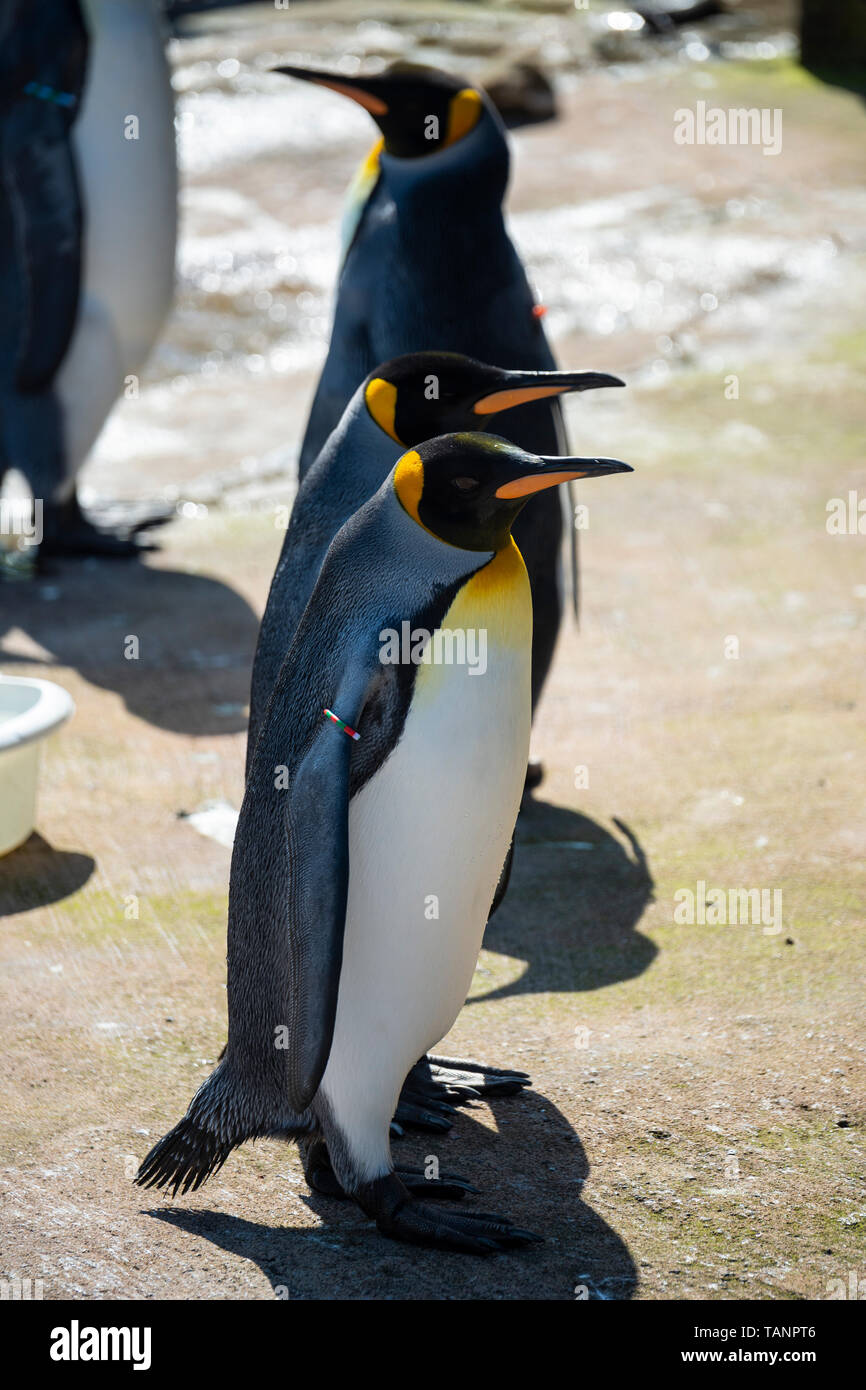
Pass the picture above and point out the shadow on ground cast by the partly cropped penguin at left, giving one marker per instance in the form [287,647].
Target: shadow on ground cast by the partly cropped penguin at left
[177,648]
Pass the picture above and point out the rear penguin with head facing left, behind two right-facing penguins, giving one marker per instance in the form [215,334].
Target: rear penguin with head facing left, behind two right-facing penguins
[429,265]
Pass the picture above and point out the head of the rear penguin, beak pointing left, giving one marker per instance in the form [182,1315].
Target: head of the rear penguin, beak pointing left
[419,111]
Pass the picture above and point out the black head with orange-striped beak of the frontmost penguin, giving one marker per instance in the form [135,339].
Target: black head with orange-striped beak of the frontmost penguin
[469,489]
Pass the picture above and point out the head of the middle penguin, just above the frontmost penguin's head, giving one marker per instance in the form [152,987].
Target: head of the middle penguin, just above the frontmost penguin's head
[427,394]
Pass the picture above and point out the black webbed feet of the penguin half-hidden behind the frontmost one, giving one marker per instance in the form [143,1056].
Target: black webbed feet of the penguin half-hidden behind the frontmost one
[437,1085]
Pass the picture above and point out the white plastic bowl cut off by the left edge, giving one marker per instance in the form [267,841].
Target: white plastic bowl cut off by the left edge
[30,711]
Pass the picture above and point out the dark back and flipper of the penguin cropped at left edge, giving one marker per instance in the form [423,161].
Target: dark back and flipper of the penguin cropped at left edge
[42,76]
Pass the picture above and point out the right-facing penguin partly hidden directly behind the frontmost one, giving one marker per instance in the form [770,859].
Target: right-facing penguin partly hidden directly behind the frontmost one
[395,408]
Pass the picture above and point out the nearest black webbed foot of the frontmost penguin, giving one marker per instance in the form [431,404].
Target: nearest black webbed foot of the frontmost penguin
[401,1217]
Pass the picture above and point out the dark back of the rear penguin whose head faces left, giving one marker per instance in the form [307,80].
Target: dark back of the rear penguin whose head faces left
[432,268]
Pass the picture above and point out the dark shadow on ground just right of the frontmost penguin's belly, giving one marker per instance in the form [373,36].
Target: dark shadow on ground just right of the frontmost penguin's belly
[573,904]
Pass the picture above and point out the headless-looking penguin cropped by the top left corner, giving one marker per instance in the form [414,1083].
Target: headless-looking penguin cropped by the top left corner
[88,227]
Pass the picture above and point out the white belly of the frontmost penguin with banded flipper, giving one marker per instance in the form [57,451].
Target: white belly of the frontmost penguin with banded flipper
[429,836]
